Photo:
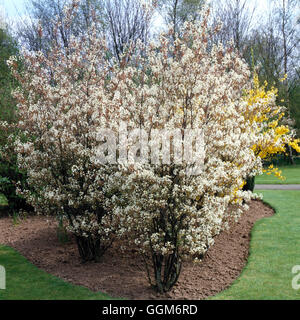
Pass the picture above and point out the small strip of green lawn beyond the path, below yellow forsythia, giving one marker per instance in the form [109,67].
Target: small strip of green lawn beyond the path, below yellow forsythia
[291,173]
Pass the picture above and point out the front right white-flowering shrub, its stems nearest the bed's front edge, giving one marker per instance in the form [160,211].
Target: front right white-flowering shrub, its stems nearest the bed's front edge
[166,213]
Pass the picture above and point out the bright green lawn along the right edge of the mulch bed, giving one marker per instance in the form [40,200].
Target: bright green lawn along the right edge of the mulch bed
[274,251]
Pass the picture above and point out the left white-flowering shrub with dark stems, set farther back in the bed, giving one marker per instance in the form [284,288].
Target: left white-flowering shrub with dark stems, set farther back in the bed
[62,101]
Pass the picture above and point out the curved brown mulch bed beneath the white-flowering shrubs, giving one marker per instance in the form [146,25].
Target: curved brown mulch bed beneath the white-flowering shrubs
[122,274]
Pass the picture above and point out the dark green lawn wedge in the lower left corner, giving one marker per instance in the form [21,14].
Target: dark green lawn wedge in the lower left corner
[24,281]
